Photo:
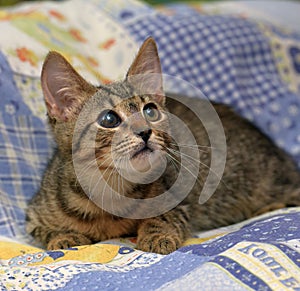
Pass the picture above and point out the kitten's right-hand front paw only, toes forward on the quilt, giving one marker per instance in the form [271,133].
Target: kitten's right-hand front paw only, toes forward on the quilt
[158,243]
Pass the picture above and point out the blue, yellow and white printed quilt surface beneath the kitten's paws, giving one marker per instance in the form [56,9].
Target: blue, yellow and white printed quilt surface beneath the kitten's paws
[262,254]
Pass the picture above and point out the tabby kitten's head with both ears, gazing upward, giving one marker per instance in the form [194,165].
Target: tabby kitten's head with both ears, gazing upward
[128,117]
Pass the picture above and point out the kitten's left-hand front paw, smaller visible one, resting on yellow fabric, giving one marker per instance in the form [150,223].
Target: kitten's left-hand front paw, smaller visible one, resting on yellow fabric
[67,240]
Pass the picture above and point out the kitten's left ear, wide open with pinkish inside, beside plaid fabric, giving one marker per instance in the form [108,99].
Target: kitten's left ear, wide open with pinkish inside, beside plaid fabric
[64,89]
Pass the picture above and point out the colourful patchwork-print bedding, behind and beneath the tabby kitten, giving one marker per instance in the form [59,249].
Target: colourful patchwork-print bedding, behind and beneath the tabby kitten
[234,52]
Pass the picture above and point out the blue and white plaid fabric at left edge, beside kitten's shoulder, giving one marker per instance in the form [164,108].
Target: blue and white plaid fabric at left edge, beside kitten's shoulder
[24,152]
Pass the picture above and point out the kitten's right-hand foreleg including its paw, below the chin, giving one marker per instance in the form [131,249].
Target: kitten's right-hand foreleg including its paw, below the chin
[163,234]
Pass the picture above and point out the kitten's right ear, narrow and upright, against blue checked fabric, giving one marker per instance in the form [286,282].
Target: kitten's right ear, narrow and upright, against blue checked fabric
[145,71]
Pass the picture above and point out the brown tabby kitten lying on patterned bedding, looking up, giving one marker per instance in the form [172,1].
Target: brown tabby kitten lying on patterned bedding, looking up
[122,124]
